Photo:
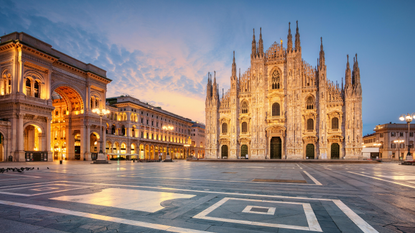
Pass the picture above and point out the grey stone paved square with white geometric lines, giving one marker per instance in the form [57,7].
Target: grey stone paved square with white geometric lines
[208,197]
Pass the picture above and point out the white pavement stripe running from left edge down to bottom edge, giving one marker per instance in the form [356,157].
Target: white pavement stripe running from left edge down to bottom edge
[101,217]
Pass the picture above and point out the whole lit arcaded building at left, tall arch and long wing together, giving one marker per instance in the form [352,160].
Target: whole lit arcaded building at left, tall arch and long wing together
[47,100]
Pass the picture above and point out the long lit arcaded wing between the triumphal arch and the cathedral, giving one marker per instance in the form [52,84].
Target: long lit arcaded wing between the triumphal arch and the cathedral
[135,130]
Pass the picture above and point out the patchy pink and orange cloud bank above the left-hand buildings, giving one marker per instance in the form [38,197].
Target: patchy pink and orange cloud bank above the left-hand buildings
[171,75]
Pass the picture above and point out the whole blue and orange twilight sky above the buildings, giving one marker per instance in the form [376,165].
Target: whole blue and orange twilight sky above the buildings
[161,51]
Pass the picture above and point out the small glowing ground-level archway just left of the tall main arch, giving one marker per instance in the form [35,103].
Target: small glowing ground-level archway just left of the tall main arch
[33,144]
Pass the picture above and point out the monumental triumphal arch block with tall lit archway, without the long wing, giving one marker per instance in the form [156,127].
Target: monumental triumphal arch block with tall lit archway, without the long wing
[46,99]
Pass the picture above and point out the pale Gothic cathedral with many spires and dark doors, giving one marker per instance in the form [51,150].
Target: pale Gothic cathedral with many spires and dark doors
[283,108]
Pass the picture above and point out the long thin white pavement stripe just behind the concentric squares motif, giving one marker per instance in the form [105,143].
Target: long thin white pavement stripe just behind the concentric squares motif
[203,191]
